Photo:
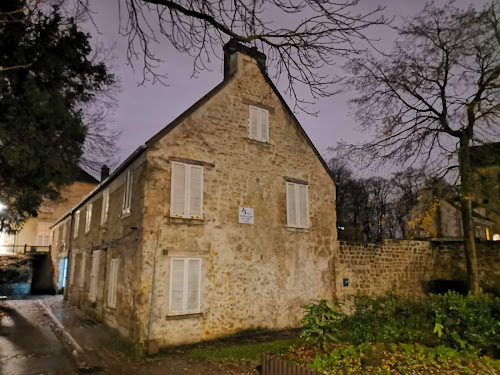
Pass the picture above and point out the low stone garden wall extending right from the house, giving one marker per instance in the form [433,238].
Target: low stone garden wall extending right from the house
[408,267]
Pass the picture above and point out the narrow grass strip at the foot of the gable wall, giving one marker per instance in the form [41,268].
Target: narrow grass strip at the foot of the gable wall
[250,353]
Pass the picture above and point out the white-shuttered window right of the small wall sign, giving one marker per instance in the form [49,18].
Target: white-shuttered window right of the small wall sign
[297,205]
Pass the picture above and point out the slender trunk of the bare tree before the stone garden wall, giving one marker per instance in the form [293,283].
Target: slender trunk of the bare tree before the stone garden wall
[466,210]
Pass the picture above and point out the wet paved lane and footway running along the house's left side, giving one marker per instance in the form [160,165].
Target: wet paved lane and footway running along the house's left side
[29,344]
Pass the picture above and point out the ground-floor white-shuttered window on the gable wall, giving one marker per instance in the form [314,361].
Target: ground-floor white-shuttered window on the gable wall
[185,285]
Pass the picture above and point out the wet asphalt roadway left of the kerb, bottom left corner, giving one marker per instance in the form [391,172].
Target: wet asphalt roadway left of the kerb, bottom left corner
[27,343]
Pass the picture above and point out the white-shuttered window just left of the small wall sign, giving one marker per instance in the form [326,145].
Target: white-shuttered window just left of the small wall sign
[186,195]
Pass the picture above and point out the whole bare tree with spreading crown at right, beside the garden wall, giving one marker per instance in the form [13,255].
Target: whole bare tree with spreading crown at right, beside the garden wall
[433,96]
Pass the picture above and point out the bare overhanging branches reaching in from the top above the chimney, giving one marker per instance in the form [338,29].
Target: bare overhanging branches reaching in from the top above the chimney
[300,38]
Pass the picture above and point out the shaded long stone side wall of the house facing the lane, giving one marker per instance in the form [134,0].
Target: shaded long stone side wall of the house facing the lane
[119,237]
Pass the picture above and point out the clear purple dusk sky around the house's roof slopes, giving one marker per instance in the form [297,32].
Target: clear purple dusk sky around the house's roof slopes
[144,110]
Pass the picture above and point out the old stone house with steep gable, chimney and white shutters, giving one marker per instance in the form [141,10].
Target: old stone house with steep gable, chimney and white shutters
[224,221]
